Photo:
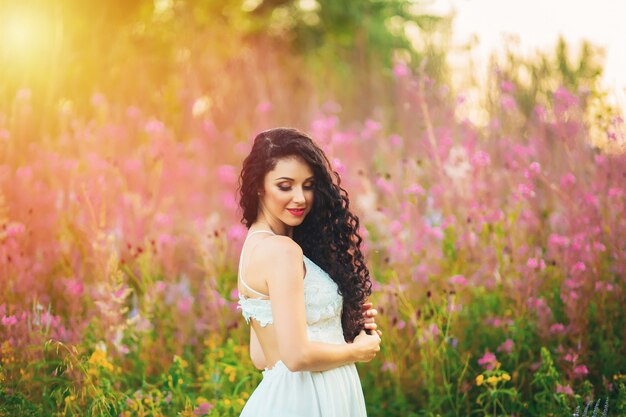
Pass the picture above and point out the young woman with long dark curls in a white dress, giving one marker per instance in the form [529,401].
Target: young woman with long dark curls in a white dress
[302,282]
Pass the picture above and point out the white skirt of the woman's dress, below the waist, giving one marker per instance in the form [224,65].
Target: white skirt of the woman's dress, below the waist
[283,393]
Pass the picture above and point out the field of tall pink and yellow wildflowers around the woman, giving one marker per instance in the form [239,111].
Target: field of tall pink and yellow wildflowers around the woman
[497,252]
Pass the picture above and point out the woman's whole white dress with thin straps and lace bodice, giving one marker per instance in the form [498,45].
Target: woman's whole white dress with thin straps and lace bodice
[283,393]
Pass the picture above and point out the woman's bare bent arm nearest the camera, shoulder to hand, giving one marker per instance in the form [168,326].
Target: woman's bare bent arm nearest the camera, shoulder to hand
[282,266]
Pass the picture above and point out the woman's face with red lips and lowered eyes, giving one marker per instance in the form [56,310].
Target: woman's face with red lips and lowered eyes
[287,195]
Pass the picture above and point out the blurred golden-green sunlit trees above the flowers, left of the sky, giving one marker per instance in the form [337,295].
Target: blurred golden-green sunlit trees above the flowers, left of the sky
[164,54]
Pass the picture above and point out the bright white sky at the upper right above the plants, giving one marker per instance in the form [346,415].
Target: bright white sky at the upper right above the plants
[538,24]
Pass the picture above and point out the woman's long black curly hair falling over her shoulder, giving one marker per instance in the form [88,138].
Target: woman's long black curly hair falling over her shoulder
[329,234]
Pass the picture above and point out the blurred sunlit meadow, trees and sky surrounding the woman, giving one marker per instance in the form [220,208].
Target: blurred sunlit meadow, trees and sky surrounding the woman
[489,176]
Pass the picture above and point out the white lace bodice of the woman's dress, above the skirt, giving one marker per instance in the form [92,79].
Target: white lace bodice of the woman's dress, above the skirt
[323,306]
